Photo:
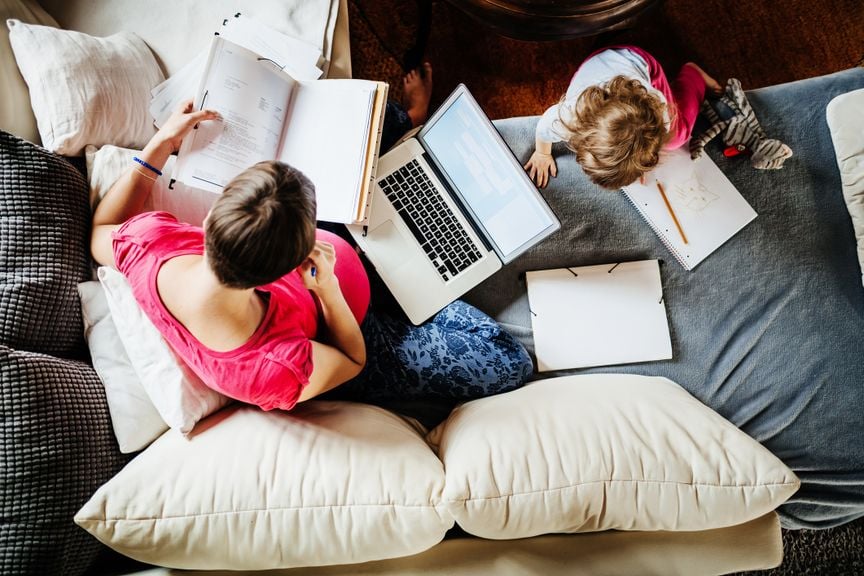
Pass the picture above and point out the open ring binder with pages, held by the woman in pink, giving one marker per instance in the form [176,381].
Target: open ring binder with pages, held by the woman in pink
[328,129]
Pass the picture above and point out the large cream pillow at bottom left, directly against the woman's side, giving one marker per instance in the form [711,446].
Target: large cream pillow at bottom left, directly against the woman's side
[327,483]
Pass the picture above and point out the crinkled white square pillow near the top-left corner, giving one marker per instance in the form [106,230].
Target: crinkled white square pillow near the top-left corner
[86,90]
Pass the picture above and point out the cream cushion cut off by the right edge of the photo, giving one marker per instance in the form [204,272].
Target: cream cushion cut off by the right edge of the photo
[845,115]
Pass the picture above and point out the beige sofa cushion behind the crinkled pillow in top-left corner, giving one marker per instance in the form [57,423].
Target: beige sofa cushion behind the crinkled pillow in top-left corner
[16,116]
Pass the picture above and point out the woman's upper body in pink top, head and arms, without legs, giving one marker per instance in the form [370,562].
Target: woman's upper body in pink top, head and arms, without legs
[239,300]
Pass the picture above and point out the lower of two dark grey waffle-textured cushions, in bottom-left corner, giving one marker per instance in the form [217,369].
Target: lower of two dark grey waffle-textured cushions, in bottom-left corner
[56,448]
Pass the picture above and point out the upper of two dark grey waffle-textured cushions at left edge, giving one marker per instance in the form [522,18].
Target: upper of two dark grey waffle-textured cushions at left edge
[44,249]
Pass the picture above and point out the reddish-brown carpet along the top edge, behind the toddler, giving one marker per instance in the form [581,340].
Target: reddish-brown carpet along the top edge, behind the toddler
[760,43]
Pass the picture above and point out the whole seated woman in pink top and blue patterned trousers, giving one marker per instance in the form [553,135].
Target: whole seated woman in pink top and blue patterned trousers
[268,310]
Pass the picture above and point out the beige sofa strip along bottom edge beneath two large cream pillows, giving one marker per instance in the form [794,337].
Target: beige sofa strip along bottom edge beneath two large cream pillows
[757,545]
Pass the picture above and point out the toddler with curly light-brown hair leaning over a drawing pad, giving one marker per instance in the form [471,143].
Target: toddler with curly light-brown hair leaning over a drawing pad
[619,112]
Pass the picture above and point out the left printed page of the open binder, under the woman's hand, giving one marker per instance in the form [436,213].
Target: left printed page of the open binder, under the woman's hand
[252,97]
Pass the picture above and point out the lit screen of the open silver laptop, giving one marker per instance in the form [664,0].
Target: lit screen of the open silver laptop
[485,175]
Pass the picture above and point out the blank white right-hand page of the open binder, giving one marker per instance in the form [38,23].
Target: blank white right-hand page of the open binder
[326,136]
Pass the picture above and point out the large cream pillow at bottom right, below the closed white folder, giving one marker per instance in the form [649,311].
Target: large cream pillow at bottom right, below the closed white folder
[602,452]
